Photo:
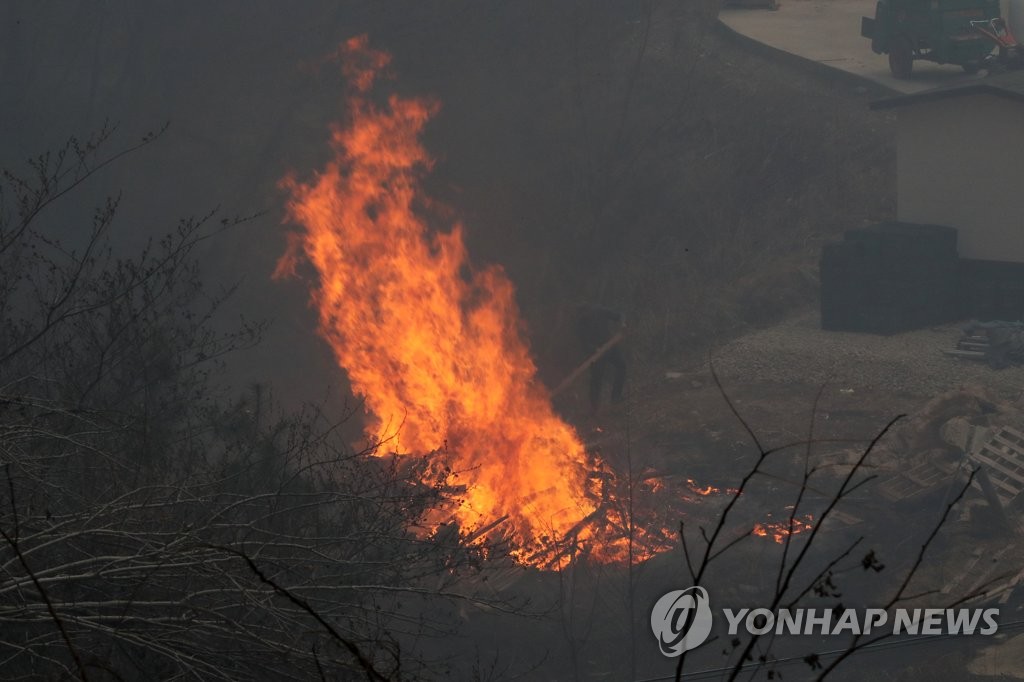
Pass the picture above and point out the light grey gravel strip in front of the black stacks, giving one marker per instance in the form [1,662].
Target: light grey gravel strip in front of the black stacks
[911,364]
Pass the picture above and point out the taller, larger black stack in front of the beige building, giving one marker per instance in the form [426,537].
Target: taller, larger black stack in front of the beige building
[890,278]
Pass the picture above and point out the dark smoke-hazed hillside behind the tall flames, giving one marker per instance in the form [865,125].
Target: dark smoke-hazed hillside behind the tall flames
[626,153]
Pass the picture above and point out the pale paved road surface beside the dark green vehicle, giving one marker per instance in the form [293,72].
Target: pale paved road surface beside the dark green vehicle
[829,31]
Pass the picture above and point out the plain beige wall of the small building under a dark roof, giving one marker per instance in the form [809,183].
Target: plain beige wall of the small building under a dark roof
[961,163]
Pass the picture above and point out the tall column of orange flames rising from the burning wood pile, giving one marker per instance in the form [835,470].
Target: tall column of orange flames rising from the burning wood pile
[434,345]
